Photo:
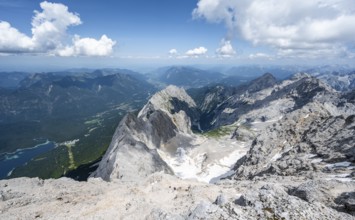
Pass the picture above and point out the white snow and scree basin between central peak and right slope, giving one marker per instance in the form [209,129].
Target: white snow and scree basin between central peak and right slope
[204,162]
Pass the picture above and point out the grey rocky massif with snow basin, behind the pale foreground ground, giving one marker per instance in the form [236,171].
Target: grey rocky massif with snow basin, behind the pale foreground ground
[255,118]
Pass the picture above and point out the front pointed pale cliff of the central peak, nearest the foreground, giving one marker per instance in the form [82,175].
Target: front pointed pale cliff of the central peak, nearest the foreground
[128,158]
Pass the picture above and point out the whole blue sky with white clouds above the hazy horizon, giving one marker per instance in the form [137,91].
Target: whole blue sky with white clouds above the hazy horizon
[118,33]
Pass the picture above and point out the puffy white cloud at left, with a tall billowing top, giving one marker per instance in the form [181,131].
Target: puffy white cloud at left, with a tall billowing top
[49,34]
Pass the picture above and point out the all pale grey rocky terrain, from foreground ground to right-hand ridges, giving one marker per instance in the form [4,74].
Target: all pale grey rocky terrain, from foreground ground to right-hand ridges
[292,147]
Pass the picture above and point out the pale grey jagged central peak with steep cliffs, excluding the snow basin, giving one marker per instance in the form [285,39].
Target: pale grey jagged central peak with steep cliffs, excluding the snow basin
[132,154]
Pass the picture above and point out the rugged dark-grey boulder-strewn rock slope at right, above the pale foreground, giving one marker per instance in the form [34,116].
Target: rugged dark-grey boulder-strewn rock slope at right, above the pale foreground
[307,140]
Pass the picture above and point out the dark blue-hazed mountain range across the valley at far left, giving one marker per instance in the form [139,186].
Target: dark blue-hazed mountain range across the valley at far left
[48,95]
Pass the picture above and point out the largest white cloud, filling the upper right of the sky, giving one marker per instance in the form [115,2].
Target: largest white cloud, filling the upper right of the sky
[300,26]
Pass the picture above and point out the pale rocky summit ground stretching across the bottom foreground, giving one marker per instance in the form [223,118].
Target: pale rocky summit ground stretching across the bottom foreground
[162,196]
